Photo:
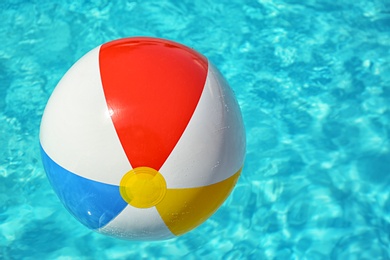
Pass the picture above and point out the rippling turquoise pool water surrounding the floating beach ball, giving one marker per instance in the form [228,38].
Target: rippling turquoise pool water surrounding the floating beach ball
[313,82]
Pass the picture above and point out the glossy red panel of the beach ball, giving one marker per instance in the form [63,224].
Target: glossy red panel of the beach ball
[159,84]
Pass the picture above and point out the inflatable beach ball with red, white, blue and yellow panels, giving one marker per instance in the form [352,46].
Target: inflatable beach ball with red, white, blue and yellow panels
[142,139]
